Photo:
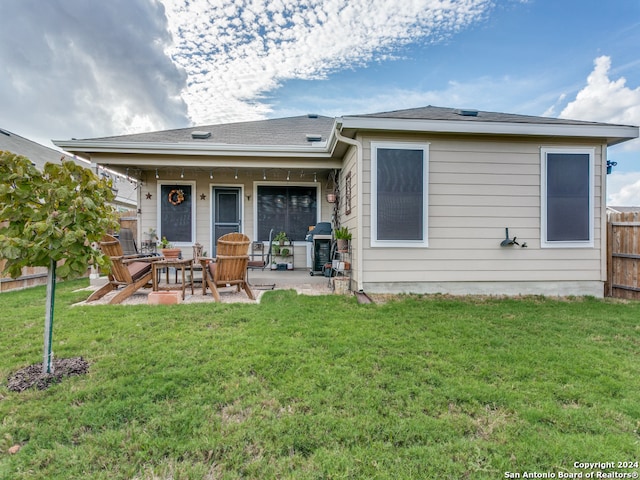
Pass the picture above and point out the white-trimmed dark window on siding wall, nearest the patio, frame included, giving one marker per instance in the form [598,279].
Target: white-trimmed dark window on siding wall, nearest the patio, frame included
[399,193]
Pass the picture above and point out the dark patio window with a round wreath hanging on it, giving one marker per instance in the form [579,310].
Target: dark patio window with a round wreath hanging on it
[176,212]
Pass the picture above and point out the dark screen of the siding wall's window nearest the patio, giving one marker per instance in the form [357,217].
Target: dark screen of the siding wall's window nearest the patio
[400,194]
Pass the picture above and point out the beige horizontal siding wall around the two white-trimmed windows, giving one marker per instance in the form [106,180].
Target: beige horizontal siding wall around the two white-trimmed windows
[478,187]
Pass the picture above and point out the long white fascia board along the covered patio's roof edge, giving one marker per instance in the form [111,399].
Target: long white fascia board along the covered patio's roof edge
[317,149]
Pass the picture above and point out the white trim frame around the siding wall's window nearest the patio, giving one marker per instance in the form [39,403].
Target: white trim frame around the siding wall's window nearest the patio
[374,195]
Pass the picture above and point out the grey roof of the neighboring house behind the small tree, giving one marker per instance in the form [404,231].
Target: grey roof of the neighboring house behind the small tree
[39,155]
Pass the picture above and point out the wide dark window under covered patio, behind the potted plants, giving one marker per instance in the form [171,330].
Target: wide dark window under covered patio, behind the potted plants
[289,208]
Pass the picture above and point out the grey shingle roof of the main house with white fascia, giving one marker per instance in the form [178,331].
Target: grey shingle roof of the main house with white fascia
[314,136]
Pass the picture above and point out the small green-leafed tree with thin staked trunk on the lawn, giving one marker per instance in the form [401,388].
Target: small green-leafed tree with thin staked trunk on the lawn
[51,219]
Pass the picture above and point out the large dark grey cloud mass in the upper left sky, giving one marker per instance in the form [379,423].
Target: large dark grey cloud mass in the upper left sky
[81,69]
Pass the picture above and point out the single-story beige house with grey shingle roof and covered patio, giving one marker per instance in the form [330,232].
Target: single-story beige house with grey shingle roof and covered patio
[437,199]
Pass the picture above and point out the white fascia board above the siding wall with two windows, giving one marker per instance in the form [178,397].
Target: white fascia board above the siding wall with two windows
[614,133]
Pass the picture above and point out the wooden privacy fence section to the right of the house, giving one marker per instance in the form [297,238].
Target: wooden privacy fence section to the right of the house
[623,255]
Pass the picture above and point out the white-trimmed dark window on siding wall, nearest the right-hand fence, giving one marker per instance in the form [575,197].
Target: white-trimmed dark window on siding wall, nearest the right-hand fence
[567,197]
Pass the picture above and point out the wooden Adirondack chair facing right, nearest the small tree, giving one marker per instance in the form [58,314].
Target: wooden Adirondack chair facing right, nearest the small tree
[128,271]
